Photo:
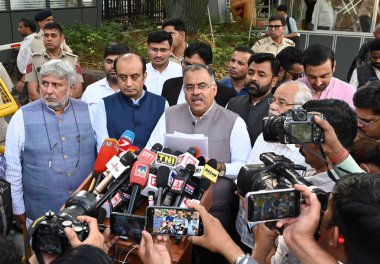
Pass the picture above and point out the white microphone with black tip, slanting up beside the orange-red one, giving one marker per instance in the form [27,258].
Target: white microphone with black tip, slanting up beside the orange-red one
[115,167]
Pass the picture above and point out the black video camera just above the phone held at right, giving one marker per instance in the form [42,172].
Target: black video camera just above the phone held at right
[278,172]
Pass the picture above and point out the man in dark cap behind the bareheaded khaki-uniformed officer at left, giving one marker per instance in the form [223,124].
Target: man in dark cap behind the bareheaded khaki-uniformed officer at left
[42,18]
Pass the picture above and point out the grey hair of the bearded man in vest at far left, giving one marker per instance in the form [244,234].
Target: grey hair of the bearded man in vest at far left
[60,69]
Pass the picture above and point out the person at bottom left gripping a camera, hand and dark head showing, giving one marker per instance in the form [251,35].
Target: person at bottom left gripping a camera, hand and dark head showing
[95,239]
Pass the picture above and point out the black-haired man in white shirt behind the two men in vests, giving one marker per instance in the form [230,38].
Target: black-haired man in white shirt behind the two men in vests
[160,67]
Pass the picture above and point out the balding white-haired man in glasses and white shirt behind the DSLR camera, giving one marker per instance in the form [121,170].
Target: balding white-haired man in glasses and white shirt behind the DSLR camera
[288,95]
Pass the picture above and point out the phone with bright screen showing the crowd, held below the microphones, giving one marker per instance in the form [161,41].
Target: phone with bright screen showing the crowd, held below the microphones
[173,221]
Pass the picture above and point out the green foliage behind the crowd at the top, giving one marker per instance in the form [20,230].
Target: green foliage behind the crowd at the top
[89,42]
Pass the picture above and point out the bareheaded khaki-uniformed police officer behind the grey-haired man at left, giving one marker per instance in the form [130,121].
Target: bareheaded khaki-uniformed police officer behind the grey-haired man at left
[53,39]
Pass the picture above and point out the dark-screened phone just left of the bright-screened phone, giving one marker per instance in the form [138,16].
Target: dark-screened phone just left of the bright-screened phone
[127,226]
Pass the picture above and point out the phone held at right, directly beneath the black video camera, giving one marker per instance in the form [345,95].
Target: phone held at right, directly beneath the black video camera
[272,205]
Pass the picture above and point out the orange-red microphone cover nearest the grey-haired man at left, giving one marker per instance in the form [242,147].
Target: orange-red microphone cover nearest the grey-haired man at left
[109,148]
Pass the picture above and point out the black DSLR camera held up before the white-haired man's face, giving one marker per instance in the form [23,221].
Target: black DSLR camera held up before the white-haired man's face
[294,126]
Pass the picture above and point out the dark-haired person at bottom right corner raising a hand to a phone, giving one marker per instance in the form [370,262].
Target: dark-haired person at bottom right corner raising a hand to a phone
[350,226]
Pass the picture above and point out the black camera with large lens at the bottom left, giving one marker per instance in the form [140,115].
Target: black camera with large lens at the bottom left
[49,235]
